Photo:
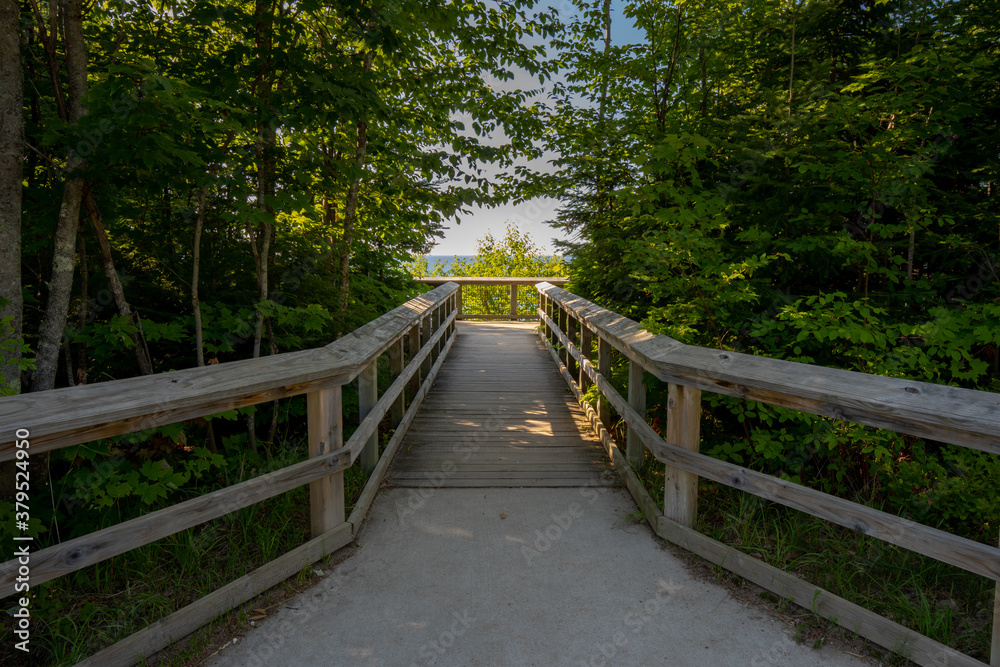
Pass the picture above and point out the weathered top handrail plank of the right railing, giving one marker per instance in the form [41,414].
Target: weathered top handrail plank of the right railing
[951,414]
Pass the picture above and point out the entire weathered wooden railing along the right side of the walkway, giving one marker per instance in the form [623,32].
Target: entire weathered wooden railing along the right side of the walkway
[572,325]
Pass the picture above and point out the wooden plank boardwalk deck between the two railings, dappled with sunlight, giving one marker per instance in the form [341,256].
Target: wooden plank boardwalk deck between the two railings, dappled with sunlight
[499,415]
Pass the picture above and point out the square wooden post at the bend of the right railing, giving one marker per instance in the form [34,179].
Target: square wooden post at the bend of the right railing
[680,499]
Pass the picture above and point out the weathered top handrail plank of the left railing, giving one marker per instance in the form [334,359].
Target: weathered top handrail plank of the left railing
[74,415]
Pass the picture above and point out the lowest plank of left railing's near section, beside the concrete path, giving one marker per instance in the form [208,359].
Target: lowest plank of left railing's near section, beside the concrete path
[181,623]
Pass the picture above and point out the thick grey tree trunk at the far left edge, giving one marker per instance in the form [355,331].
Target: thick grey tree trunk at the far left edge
[11,161]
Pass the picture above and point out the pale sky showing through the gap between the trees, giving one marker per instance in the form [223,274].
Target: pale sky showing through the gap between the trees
[530,216]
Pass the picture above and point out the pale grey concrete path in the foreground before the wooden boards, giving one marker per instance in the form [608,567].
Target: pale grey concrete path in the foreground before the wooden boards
[537,576]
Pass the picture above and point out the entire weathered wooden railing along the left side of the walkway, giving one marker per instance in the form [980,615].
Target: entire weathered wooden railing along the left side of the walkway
[416,337]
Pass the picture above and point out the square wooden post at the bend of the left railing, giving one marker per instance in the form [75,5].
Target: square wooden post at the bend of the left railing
[325,417]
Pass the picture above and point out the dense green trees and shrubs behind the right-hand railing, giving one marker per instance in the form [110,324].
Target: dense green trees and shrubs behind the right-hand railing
[829,199]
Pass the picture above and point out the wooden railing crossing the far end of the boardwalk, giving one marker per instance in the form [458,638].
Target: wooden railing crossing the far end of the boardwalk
[496,298]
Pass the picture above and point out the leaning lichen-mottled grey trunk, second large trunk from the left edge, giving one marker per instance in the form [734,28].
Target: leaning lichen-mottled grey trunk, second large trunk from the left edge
[64,248]
